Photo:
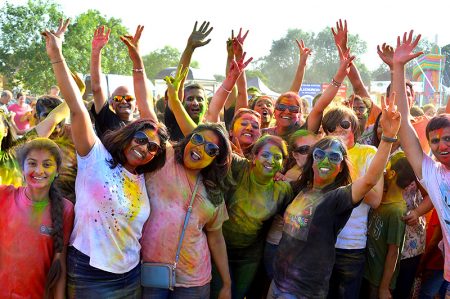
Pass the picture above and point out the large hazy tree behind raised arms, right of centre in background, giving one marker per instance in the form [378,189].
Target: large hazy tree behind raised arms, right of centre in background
[281,64]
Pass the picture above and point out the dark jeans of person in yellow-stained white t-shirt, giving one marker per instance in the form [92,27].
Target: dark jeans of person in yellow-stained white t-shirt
[348,270]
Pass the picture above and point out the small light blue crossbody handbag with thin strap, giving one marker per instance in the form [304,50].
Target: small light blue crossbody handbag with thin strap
[161,275]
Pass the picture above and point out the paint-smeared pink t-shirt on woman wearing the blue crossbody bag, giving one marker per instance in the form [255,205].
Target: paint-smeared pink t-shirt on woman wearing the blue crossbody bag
[170,193]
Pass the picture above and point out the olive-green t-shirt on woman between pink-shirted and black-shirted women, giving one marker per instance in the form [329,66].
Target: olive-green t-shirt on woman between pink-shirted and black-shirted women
[251,206]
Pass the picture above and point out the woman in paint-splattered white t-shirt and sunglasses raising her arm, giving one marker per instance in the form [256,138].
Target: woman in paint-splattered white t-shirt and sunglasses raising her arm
[111,199]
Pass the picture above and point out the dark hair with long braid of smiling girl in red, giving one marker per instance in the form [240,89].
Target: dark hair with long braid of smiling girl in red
[56,208]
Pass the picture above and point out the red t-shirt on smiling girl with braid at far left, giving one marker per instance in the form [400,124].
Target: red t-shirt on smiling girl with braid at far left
[26,244]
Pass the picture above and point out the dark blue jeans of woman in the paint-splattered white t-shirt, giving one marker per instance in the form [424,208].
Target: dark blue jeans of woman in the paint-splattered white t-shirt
[86,282]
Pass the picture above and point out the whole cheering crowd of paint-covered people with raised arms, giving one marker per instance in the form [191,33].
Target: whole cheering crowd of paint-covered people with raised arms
[241,194]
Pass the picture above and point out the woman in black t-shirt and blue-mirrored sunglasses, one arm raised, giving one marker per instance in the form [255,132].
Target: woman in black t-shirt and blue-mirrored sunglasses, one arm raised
[306,254]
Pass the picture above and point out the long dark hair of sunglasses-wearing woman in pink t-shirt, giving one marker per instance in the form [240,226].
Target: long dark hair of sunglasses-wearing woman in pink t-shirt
[215,175]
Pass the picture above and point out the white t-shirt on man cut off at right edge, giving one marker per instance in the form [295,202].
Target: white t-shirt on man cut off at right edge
[436,179]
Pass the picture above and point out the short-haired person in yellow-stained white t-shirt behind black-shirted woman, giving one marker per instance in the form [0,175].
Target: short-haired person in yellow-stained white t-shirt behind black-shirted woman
[341,122]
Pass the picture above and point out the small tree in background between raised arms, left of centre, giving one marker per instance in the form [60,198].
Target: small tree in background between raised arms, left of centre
[160,59]
